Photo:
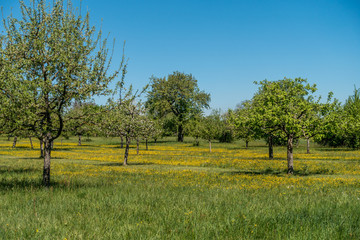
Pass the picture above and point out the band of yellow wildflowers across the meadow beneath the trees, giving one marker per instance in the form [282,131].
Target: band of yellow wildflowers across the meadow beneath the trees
[183,165]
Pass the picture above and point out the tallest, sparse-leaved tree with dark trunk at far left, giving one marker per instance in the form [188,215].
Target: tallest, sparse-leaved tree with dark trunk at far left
[54,57]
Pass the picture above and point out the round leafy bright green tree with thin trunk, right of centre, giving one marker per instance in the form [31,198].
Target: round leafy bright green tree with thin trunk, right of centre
[285,105]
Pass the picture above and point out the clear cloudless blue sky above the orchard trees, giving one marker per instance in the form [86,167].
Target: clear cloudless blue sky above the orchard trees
[229,44]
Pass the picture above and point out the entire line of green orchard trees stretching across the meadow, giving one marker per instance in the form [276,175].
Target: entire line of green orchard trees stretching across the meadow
[52,62]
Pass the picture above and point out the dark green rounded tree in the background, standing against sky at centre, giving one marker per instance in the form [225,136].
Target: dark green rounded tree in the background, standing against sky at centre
[176,95]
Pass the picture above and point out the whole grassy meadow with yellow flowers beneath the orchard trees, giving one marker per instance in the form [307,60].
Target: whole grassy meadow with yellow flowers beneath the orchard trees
[178,191]
